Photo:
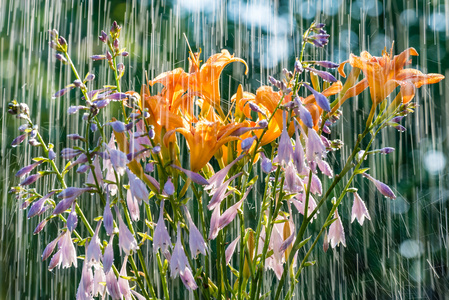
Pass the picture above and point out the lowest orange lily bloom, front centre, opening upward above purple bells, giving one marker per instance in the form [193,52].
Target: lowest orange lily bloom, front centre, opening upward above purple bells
[205,139]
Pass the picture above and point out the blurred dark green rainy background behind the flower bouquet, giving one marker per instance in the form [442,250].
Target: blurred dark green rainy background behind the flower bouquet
[402,253]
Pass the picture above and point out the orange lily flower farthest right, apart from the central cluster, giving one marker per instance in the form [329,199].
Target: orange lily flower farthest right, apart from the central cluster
[387,72]
